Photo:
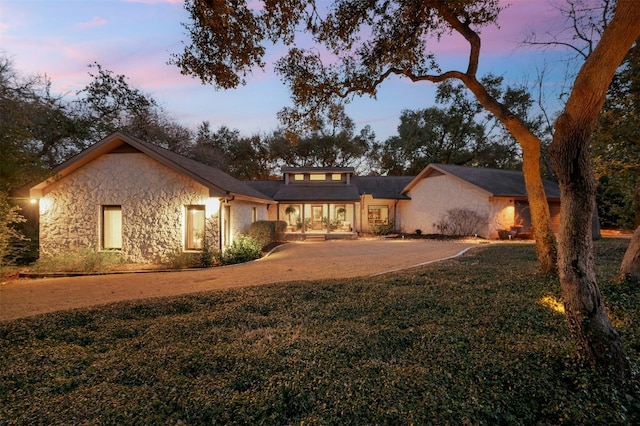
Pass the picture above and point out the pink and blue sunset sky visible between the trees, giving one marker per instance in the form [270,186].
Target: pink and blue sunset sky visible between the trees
[137,37]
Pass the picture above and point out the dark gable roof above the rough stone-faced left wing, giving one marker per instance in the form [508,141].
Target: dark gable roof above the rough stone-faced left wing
[219,183]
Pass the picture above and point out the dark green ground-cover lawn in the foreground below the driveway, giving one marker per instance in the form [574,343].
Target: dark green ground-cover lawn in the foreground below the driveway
[466,341]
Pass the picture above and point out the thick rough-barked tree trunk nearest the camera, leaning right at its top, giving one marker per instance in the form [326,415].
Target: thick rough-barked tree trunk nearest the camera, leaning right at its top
[587,318]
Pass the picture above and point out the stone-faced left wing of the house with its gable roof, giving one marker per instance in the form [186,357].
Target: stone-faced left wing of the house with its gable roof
[147,202]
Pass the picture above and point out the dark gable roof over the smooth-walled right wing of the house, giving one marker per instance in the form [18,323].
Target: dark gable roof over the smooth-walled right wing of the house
[496,182]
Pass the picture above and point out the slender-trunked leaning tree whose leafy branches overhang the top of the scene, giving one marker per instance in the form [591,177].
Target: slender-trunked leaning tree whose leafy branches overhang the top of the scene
[363,43]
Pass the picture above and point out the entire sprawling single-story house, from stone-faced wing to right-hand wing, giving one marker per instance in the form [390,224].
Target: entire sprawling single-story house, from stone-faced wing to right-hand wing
[147,202]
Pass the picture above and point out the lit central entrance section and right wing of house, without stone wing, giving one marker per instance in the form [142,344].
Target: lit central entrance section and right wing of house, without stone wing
[335,203]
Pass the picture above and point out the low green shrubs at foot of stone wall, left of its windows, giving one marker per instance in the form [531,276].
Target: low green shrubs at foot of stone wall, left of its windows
[84,260]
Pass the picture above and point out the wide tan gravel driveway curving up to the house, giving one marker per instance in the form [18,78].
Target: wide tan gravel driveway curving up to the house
[290,262]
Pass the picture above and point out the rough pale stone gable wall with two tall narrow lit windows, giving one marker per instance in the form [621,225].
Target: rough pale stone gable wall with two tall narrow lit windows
[152,196]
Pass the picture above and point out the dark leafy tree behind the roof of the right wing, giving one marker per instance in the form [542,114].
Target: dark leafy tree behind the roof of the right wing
[460,132]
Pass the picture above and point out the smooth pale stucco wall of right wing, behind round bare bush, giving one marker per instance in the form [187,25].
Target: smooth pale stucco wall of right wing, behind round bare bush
[433,196]
